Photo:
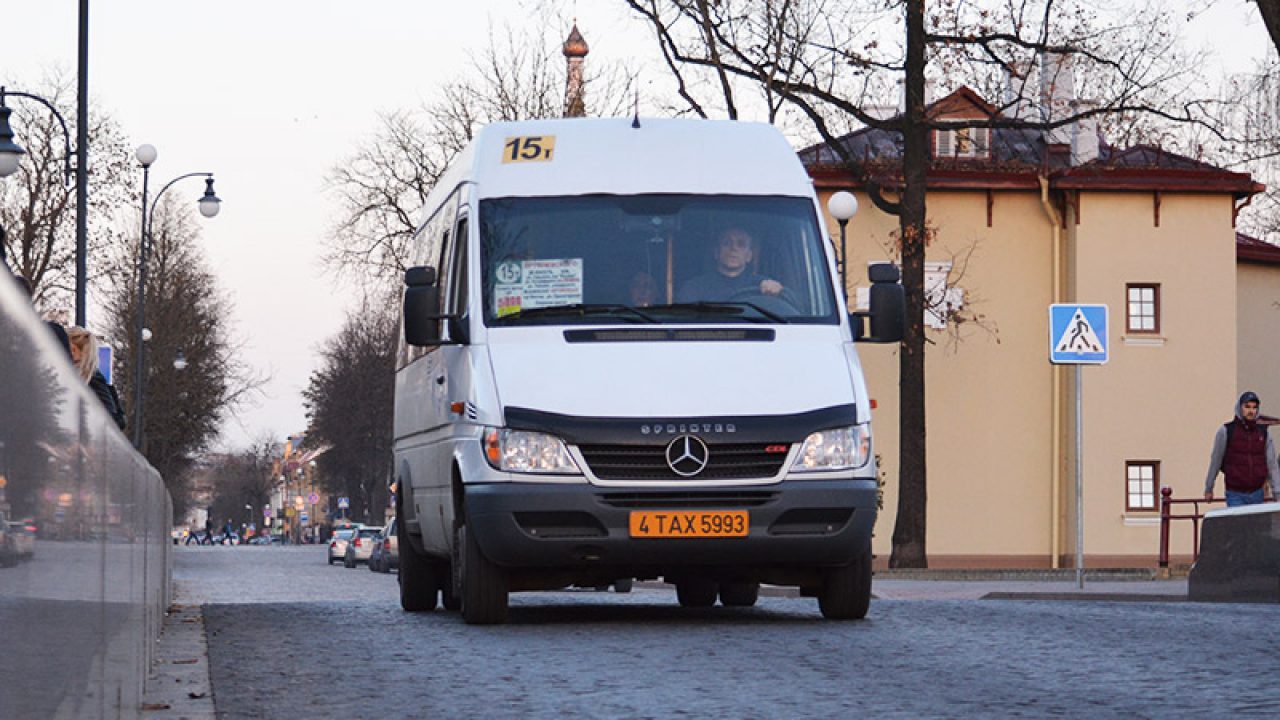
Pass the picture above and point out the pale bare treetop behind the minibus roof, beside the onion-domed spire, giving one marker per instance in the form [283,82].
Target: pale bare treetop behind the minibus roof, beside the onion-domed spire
[520,75]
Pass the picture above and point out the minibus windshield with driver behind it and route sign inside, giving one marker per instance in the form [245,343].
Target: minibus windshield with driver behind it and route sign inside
[609,259]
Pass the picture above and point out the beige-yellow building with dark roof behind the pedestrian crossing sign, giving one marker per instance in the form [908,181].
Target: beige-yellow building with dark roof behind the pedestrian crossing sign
[1021,224]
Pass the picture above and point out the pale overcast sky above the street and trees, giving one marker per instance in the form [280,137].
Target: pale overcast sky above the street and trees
[271,94]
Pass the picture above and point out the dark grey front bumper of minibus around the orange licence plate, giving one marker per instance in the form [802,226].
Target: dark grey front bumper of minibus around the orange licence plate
[813,523]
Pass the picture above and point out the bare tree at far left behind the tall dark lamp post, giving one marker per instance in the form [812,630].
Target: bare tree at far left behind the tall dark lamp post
[38,206]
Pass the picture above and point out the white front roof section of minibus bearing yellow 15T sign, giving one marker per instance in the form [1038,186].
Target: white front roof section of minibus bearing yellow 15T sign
[609,156]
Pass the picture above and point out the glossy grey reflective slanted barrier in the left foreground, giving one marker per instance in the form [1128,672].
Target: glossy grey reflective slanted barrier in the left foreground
[83,604]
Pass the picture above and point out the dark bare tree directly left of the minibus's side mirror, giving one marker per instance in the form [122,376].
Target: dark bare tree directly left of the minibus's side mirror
[350,403]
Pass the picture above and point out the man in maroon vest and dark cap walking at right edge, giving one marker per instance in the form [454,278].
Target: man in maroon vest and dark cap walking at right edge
[1246,455]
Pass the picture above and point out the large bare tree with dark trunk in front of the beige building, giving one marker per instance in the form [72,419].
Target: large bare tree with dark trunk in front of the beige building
[835,62]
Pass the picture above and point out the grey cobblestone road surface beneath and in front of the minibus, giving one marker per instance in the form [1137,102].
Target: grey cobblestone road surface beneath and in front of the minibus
[291,637]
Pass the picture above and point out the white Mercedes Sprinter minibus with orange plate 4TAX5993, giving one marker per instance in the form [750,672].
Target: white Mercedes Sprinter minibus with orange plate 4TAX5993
[628,357]
